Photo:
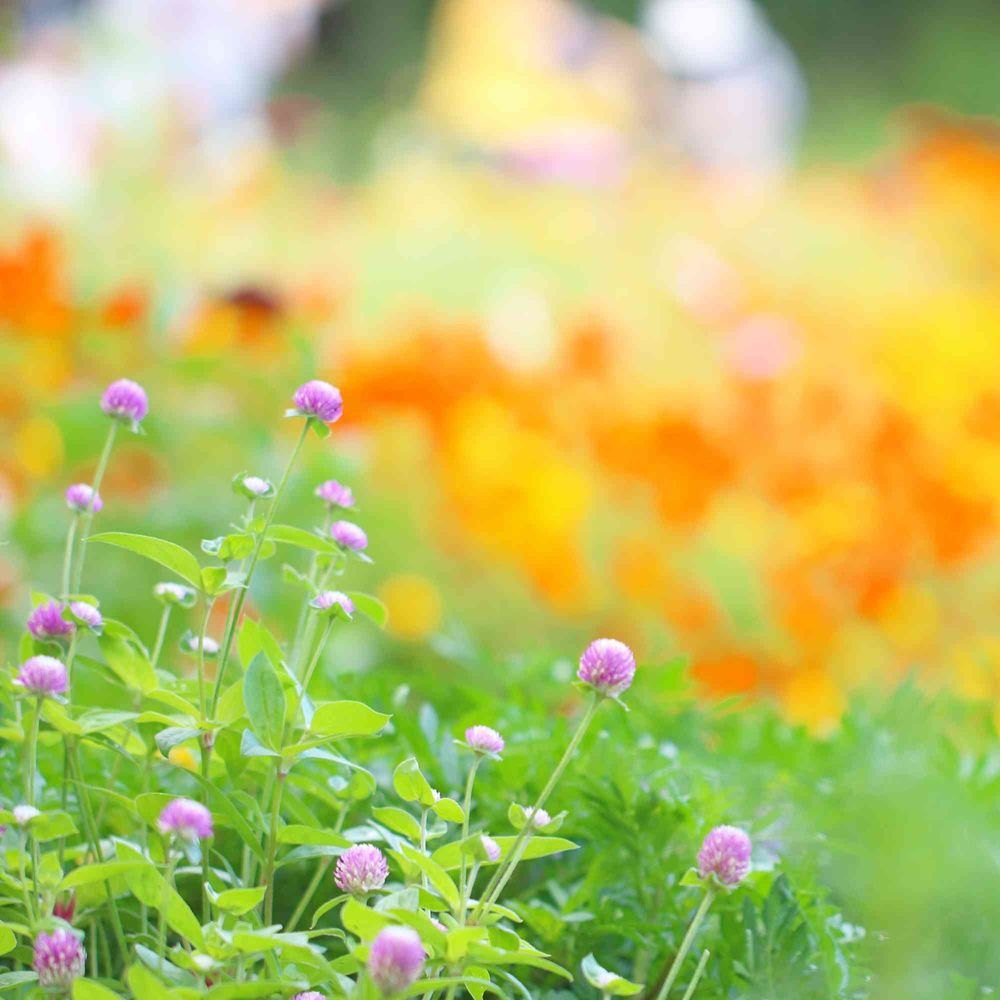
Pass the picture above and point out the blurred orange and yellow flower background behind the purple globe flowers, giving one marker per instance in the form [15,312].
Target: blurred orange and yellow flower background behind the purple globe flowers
[674,320]
